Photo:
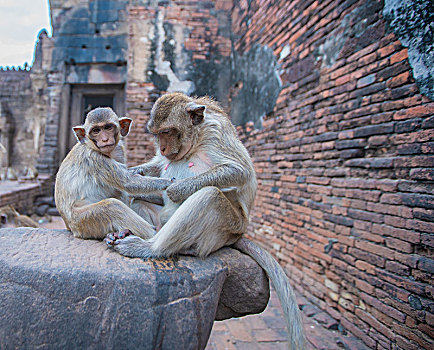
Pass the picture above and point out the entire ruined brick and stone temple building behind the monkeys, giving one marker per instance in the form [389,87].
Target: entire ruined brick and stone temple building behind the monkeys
[333,100]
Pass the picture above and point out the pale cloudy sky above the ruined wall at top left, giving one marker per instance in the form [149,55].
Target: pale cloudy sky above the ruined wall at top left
[20,23]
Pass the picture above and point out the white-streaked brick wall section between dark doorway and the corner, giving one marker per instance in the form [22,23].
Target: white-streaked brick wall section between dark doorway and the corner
[181,34]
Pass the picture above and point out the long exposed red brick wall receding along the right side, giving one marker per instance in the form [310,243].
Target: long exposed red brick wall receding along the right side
[345,166]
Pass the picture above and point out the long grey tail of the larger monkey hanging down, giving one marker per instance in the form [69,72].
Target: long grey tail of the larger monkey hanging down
[296,339]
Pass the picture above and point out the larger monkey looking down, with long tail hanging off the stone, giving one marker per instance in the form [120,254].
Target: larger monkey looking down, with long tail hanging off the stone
[208,205]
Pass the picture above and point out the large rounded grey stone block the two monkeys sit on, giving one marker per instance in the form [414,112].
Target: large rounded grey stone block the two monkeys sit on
[61,292]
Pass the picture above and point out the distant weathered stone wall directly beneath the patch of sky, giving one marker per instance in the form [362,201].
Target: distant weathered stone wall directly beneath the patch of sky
[23,109]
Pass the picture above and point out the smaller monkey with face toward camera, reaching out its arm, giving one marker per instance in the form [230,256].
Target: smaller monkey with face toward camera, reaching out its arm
[93,184]
